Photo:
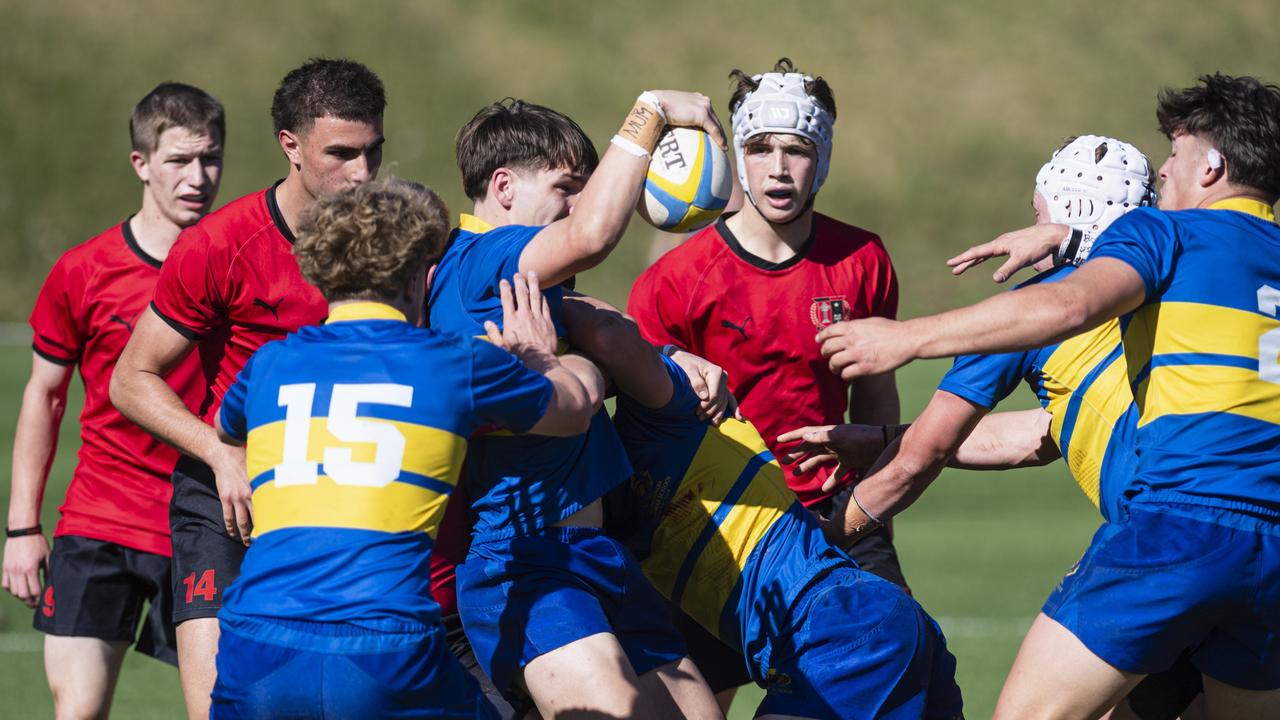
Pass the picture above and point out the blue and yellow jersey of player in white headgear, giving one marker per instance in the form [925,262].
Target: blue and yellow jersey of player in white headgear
[1084,386]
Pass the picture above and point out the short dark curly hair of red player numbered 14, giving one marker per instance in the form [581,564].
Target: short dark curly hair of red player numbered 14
[344,89]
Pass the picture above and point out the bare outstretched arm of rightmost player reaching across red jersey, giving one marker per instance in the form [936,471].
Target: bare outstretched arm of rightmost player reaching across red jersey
[1023,320]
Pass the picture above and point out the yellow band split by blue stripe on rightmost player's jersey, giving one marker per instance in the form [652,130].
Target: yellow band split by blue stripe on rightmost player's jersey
[1178,343]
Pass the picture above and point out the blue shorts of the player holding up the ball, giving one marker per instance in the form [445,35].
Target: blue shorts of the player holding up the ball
[527,596]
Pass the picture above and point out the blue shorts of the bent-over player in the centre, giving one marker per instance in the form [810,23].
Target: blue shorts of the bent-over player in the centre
[860,648]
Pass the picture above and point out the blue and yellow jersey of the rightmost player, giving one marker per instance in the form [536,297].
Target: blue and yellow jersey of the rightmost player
[1204,353]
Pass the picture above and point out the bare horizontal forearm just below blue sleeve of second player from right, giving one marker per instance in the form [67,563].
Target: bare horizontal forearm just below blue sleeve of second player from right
[1008,440]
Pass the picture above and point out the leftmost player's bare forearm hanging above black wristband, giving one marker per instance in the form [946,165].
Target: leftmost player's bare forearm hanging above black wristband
[35,444]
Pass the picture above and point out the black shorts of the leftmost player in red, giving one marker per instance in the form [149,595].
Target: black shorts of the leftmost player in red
[97,590]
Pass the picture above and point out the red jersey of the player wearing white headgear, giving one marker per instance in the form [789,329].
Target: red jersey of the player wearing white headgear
[758,321]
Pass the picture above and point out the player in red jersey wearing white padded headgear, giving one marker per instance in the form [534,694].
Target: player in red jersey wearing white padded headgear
[751,293]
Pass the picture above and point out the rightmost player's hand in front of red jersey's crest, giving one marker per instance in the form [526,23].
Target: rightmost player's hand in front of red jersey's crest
[856,349]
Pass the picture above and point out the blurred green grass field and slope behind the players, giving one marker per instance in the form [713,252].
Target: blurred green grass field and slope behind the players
[947,112]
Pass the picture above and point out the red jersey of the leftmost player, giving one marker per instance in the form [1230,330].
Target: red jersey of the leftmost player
[85,315]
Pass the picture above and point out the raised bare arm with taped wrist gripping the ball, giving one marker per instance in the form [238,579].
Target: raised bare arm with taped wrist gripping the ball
[586,239]
